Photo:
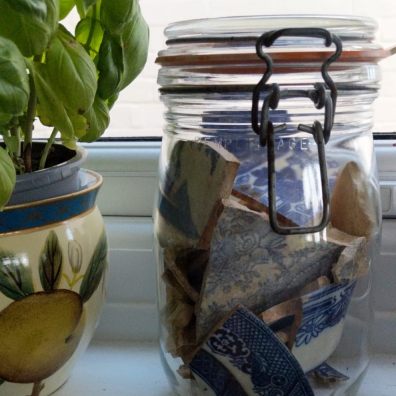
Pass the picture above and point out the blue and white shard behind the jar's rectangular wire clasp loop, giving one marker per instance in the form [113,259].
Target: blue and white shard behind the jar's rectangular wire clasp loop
[296,172]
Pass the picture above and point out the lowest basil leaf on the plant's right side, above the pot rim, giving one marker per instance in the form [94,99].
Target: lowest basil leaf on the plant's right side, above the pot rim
[98,120]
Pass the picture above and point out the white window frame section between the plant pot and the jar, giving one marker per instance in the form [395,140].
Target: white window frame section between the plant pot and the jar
[129,169]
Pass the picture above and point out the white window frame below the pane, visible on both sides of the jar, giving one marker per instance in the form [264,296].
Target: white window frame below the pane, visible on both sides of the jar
[130,167]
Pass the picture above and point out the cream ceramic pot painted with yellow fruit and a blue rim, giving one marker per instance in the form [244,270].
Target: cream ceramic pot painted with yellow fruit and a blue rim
[53,257]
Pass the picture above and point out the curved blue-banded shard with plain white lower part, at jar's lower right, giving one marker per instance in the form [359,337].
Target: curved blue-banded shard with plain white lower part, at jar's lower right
[322,324]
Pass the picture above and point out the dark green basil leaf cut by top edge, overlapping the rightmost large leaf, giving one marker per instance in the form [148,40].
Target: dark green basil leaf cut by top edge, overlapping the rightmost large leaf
[115,14]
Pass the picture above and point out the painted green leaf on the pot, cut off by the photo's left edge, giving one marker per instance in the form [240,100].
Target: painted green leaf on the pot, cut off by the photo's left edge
[15,276]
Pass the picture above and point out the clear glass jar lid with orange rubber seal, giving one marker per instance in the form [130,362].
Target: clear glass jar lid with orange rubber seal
[224,43]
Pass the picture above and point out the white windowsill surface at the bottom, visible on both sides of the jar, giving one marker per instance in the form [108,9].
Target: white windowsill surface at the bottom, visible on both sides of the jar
[131,369]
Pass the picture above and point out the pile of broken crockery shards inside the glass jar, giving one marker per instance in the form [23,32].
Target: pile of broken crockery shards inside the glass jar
[235,290]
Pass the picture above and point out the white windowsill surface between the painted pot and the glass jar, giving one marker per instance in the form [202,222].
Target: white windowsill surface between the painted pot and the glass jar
[118,369]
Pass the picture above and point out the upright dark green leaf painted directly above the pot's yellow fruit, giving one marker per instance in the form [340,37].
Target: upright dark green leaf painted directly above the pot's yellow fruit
[51,261]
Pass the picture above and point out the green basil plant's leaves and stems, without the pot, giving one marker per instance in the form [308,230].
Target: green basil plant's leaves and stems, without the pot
[69,80]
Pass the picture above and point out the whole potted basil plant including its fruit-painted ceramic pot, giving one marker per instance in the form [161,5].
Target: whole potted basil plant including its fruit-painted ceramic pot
[53,249]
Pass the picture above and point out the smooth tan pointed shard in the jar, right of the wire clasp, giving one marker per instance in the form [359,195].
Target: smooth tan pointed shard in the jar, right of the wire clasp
[353,204]
